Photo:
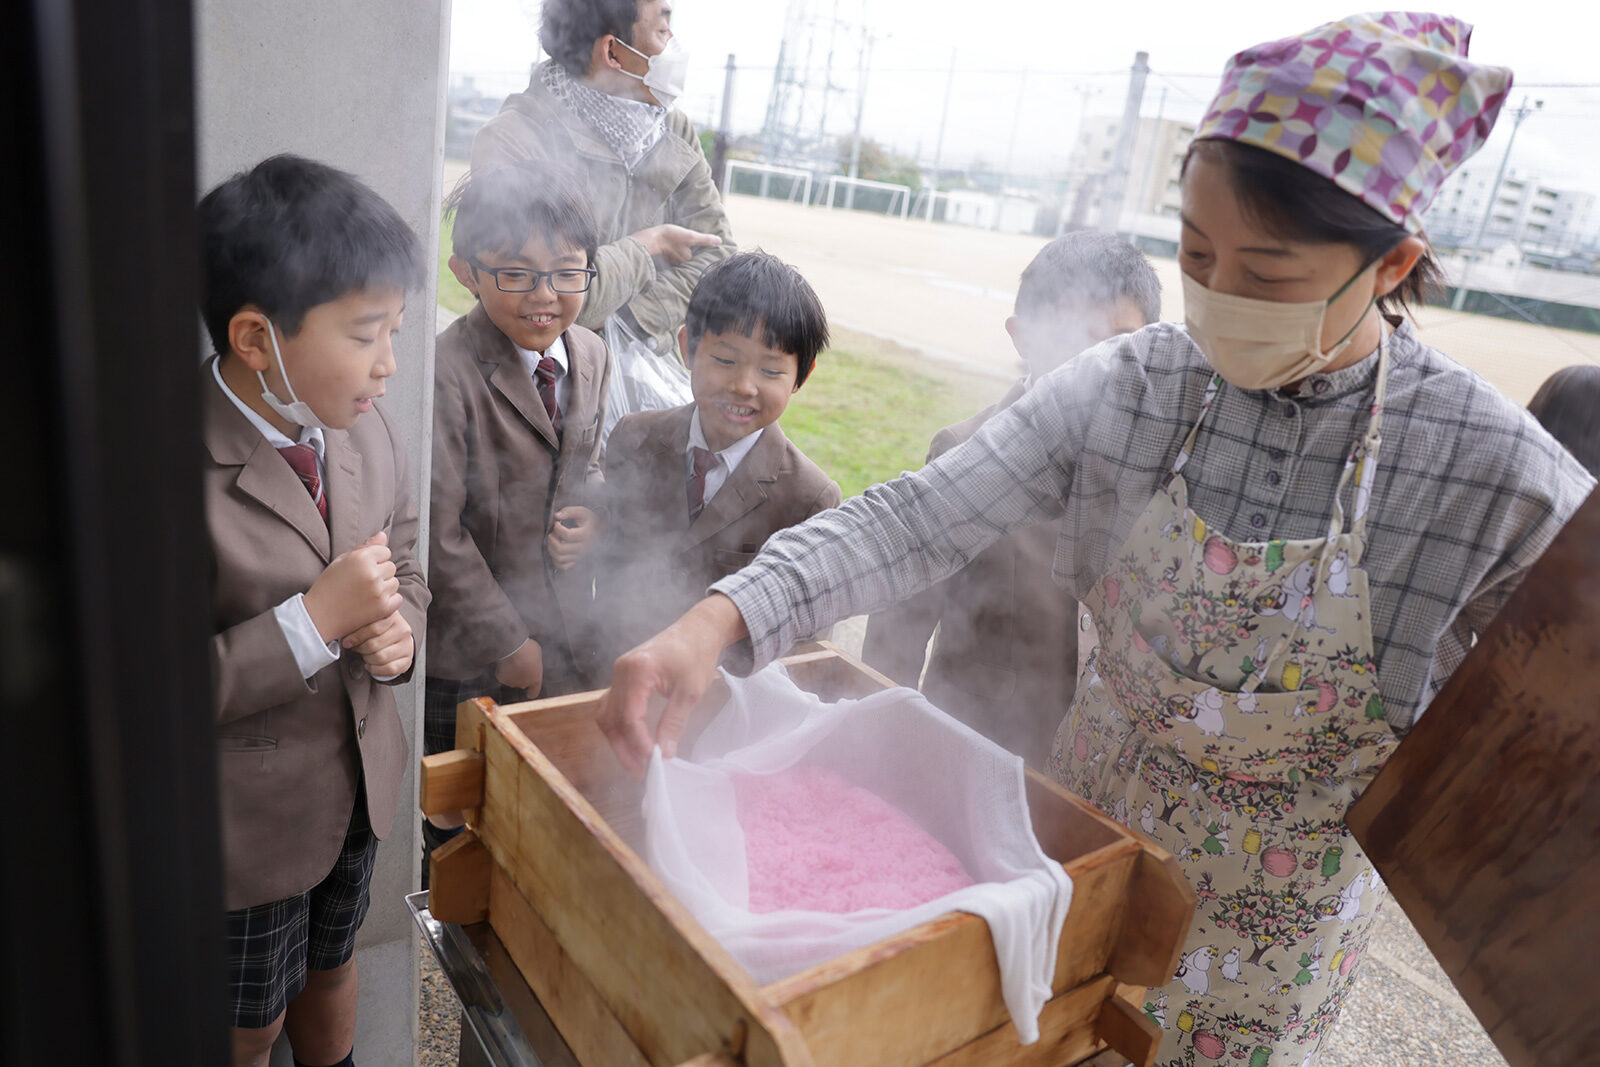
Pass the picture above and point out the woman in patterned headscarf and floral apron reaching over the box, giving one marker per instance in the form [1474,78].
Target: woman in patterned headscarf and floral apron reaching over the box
[1289,521]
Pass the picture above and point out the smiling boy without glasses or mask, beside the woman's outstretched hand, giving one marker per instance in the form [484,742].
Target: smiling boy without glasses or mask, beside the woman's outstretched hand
[695,492]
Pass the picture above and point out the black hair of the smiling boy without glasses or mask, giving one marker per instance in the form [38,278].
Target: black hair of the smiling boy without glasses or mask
[761,297]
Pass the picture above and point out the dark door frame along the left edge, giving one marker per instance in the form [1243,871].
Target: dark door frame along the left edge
[113,890]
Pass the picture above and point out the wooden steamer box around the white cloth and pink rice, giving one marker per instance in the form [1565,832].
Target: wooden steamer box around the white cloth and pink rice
[630,977]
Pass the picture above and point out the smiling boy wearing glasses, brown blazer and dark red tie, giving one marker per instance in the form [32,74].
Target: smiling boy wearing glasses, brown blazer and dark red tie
[519,398]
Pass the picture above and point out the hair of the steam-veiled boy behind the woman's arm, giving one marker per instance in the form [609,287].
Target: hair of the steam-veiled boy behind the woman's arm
[1089,270]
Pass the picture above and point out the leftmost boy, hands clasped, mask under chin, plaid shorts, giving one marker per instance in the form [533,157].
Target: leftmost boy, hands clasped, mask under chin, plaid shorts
[318,596]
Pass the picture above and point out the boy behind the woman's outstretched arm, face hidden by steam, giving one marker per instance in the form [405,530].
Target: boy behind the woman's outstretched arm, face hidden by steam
[1004,655]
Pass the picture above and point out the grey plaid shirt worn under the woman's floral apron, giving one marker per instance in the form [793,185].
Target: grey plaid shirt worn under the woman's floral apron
[1468,495]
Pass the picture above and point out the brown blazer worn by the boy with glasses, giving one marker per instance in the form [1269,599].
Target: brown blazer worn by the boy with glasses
[500,476]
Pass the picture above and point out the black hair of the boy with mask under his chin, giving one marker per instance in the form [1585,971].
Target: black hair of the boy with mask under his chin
[292,234]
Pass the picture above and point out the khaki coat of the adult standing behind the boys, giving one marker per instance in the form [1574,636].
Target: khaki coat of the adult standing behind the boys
[671,185]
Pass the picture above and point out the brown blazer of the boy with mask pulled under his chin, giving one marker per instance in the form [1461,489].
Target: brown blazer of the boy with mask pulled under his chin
[292,751]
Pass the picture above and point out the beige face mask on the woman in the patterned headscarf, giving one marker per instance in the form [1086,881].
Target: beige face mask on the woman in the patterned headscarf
[1262,345]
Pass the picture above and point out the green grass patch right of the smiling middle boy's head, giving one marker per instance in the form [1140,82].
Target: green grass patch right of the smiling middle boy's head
[871,409]
